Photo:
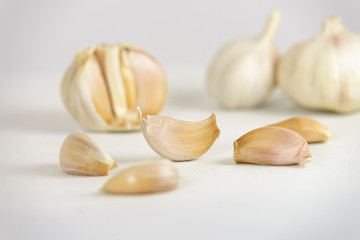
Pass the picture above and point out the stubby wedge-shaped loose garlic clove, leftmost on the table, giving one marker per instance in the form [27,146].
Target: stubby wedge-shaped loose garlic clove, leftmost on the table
[80,155]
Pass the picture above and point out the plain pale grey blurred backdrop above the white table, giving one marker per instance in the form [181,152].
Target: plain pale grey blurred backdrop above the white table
[40,37]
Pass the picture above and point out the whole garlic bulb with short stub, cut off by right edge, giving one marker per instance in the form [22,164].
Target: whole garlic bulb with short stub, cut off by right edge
[323,73]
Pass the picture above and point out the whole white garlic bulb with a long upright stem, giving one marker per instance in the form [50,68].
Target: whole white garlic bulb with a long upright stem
[242,72]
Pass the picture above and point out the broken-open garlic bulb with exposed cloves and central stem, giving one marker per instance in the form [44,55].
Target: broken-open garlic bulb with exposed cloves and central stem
[105,83]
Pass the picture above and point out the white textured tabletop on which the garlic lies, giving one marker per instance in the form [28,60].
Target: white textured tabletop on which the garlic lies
[217,199]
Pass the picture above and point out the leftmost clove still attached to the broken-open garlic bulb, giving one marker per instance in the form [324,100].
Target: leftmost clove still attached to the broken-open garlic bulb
[84,92]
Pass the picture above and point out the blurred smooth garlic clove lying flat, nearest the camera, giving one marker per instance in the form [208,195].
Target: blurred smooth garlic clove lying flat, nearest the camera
[144,178]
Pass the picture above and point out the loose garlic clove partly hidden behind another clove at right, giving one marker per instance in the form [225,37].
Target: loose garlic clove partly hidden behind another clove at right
[311,130]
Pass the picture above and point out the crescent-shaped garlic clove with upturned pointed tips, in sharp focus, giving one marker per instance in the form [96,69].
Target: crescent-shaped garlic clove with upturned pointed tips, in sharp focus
[179,140]
